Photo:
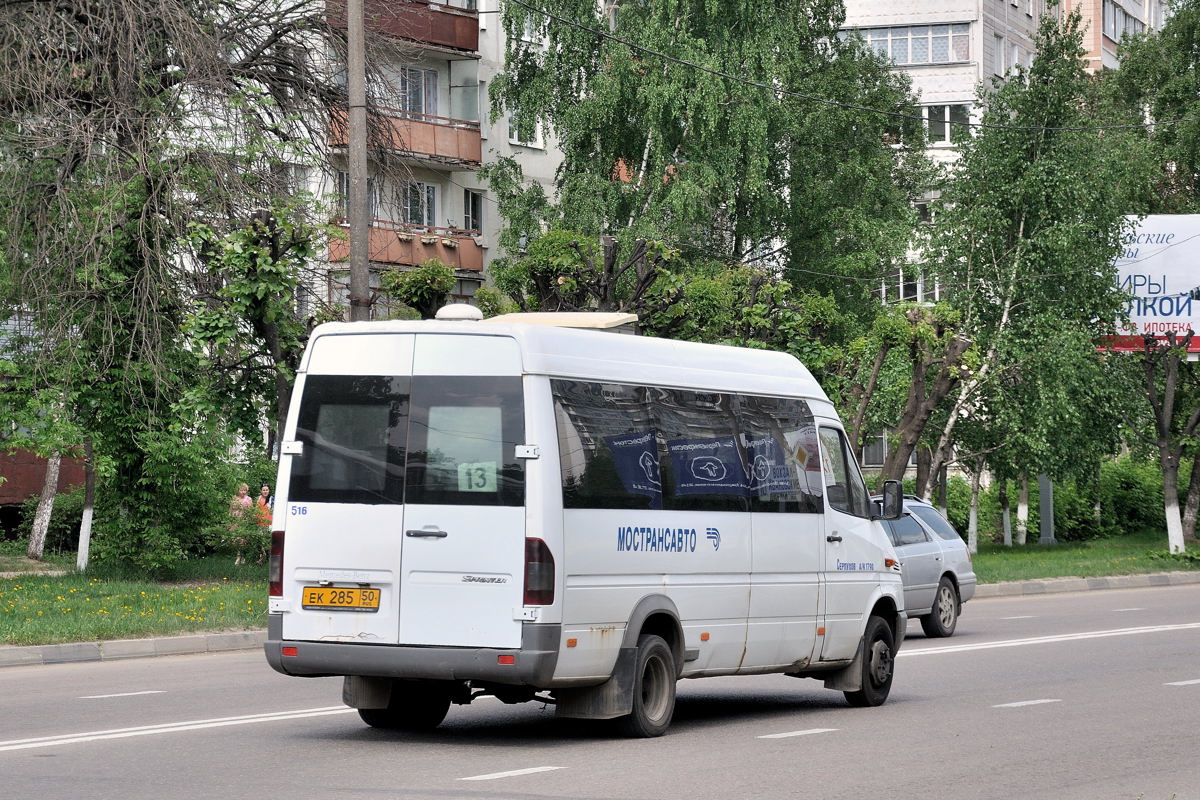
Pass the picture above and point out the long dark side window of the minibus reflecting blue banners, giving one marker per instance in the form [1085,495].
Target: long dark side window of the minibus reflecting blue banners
[632,447]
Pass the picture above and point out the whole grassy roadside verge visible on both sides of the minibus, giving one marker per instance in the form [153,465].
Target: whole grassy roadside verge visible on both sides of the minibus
[213,594]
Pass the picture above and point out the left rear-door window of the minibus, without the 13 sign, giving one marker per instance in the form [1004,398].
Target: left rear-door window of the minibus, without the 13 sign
[353,431]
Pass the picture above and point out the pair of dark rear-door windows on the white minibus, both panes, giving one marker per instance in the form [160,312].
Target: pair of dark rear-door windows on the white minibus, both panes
[374,440]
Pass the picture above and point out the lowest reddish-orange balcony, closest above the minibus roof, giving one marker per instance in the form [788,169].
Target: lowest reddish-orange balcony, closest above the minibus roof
[389,243]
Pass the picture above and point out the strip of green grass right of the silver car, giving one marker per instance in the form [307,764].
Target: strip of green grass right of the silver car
[1130,555]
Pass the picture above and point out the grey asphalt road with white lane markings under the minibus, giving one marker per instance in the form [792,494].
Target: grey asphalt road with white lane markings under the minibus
[1071,696]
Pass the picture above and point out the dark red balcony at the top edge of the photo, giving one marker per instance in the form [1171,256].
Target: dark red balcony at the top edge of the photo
[441,25]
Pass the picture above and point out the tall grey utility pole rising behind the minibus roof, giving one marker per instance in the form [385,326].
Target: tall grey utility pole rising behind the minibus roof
[357,121]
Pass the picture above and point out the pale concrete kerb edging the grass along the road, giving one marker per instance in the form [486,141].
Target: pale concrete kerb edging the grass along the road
[175,646]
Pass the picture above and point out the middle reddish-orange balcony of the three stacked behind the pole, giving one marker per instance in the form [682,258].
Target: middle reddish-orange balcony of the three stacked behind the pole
[457,143]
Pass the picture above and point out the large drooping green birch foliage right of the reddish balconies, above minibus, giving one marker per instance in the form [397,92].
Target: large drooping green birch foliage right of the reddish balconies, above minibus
[685,131]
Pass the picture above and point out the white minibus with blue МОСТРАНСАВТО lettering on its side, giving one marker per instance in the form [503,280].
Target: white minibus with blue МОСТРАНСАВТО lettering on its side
[578,518]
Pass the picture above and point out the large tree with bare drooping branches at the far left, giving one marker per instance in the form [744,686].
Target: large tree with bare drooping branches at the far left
[123,123]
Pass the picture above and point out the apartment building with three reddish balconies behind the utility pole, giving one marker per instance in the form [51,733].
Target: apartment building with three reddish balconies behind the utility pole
[439,59]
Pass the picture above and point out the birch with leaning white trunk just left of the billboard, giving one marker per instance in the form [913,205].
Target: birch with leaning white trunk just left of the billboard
[1028,230]
